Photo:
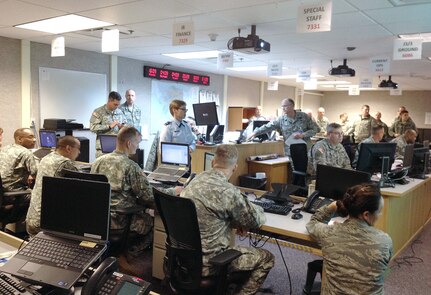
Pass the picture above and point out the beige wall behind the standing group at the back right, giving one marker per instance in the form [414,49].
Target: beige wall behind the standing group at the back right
[417,103]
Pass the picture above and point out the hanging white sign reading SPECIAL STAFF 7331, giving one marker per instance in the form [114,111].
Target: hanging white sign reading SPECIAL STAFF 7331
[314,17]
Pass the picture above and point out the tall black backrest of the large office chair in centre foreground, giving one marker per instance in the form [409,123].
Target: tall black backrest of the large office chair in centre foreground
[183,244]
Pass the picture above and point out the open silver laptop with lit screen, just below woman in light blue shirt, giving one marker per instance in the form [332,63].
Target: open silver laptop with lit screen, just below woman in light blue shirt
[175,162]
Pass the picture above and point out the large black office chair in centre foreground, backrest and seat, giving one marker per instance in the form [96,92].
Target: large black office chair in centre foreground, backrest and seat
[183,260]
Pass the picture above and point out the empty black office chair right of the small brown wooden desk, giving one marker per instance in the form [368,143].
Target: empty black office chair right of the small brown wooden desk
[298,154]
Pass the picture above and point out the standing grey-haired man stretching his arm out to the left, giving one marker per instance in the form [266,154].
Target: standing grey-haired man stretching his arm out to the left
[291,123]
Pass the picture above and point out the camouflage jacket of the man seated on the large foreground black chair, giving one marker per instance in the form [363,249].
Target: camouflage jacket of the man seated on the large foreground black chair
[220,207]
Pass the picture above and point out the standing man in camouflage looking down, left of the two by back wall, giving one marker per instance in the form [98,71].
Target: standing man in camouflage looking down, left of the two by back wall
[107,119]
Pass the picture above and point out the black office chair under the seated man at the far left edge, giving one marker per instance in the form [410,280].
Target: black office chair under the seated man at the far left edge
[15,211]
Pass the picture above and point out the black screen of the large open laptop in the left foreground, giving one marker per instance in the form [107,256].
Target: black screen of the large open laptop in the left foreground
[80,207]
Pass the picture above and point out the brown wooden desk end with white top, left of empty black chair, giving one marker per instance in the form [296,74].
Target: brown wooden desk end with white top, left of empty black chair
[276,170]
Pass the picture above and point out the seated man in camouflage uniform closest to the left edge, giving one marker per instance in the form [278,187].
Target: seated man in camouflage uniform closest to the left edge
[18,165]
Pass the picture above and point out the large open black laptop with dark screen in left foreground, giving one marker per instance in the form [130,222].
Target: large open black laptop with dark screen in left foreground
[77,217]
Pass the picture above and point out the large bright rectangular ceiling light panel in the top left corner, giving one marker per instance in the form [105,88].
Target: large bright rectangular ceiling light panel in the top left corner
[63,24]
